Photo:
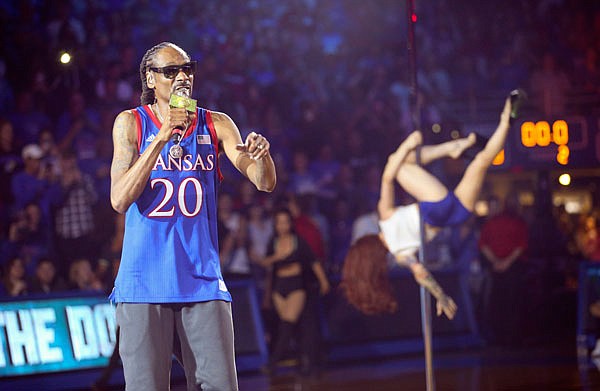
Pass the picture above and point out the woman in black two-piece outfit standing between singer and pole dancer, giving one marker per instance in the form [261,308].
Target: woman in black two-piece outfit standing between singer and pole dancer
[293,266]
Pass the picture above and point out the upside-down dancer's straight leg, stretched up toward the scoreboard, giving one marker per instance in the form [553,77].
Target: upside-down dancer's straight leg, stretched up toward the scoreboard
[469,186]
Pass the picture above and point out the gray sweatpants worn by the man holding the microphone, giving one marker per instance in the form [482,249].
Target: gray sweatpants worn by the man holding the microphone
[200,334]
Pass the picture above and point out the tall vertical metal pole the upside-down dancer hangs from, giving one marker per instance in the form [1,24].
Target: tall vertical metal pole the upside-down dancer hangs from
[416,121]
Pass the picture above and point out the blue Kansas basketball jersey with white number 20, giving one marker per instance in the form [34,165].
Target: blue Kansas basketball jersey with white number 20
[170,249]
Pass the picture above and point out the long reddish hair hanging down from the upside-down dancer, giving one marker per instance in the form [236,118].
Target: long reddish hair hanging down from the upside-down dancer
[365,280]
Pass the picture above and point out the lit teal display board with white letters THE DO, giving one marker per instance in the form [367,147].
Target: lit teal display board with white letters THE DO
[53,335]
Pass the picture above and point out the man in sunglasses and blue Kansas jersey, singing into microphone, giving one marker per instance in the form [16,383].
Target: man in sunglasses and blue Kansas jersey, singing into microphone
[169,290]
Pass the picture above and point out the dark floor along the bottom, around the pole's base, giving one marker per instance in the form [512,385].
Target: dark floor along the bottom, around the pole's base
[552,367]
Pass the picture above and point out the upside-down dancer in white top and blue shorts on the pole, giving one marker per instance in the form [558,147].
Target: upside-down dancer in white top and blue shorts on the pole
[365,281]
